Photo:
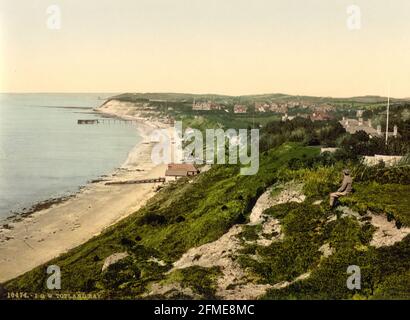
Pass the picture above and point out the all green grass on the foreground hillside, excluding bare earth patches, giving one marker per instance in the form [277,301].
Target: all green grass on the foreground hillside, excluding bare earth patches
[184,215]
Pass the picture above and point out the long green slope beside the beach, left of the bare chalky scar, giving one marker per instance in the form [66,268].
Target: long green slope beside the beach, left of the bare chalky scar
[179,217]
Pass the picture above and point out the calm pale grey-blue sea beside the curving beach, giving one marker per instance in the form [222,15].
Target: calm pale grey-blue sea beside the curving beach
[44,153]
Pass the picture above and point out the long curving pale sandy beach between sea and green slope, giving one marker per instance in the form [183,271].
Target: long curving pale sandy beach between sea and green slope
[47,233]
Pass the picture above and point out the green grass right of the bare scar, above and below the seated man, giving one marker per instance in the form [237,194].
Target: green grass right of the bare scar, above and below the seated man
[385,271]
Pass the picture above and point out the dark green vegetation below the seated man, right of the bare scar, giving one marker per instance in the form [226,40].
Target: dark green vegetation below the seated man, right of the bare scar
[306,229]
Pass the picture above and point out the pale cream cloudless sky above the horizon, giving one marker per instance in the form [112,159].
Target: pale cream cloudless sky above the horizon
[235,47]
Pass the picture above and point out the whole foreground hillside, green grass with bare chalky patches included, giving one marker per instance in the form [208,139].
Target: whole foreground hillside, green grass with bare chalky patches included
[284,241]
